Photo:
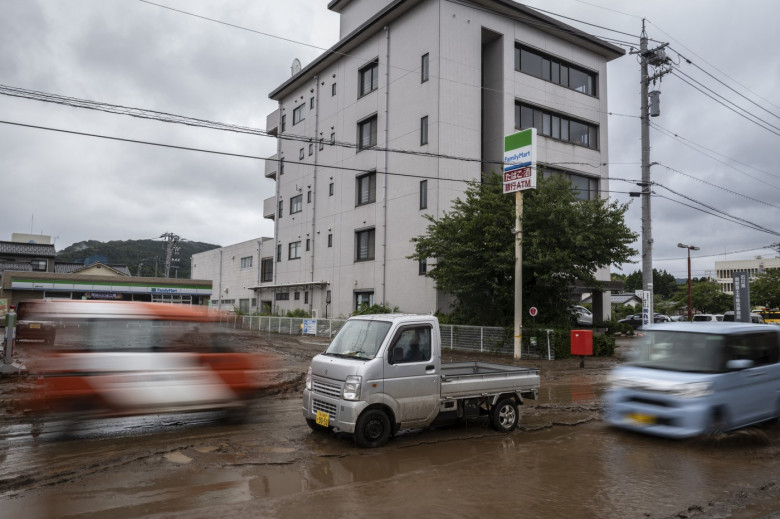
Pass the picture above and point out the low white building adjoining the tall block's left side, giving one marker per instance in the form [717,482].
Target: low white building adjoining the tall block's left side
[235,271]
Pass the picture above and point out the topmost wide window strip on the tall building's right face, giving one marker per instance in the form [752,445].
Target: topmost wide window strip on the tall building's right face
[554,70]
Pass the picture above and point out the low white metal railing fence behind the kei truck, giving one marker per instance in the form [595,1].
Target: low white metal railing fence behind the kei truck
[536,343]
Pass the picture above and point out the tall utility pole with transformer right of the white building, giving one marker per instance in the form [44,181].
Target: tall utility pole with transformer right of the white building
[657,58]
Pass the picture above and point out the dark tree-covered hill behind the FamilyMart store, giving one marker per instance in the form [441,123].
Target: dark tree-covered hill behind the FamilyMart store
[142,257]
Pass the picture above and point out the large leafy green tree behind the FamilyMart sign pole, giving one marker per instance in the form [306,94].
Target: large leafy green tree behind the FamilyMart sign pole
[564,239]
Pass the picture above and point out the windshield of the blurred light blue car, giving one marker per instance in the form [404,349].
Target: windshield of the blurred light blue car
[680,351]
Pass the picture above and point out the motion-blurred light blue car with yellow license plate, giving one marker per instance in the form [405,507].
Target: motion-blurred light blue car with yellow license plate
[690,379]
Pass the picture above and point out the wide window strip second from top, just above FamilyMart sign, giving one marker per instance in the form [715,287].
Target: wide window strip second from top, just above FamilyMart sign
[557,126]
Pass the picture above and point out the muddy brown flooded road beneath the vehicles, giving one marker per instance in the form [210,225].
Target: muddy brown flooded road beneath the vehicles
[561,462]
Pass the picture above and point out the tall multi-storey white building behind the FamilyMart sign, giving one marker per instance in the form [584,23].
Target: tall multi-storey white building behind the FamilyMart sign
[391,122]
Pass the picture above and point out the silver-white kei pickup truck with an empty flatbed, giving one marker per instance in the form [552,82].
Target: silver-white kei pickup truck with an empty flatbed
[383,373]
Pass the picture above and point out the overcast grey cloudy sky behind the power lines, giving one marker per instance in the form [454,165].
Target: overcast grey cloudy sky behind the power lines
[136,54]
